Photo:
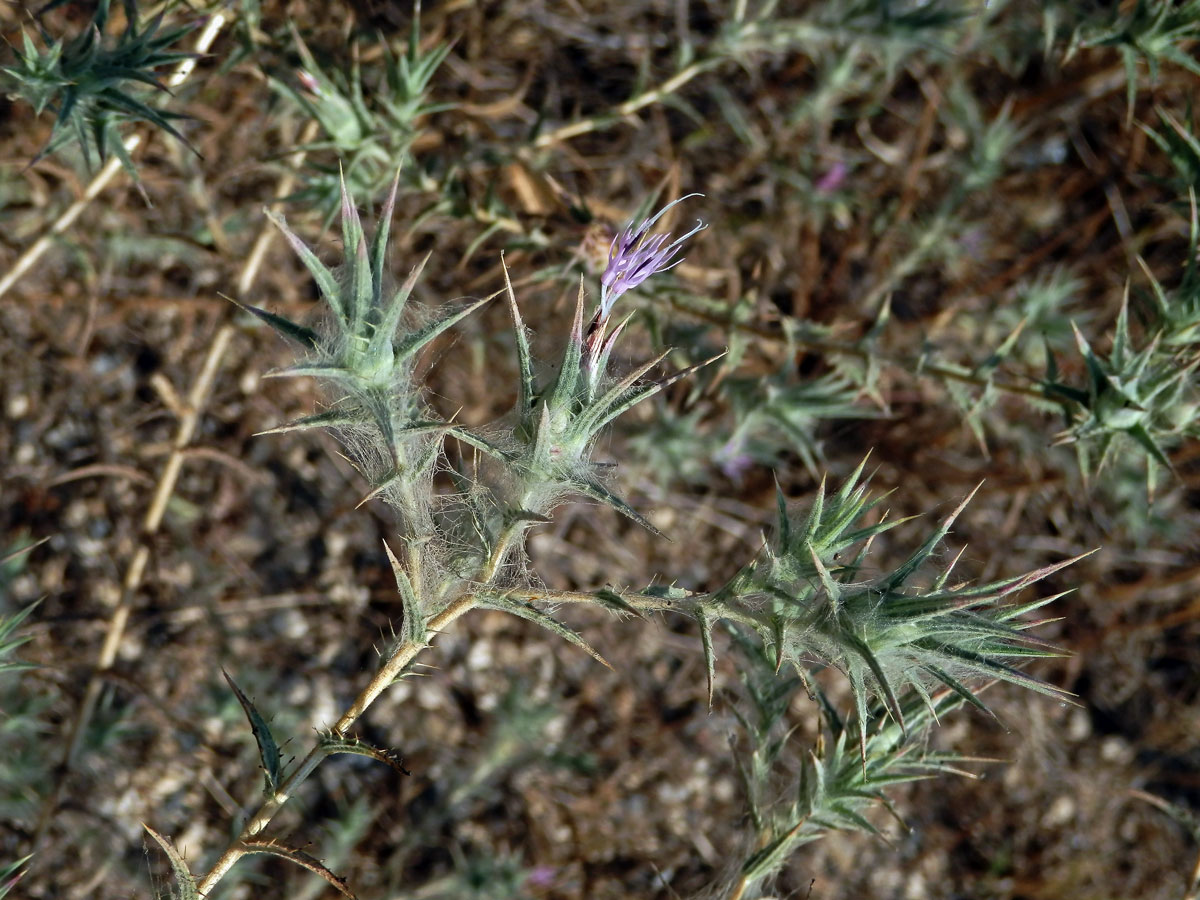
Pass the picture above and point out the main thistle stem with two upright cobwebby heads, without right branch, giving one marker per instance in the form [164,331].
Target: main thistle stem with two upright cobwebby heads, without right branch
[453,561]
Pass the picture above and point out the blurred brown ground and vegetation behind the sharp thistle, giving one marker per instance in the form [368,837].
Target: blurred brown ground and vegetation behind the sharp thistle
[958,236]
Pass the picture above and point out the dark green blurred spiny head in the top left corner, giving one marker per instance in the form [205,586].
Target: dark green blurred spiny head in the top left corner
[93,83]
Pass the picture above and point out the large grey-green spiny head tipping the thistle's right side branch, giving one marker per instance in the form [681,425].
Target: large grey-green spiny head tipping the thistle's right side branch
[808,601]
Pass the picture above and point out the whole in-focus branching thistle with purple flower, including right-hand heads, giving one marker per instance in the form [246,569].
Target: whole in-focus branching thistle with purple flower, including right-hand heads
[805,597]
